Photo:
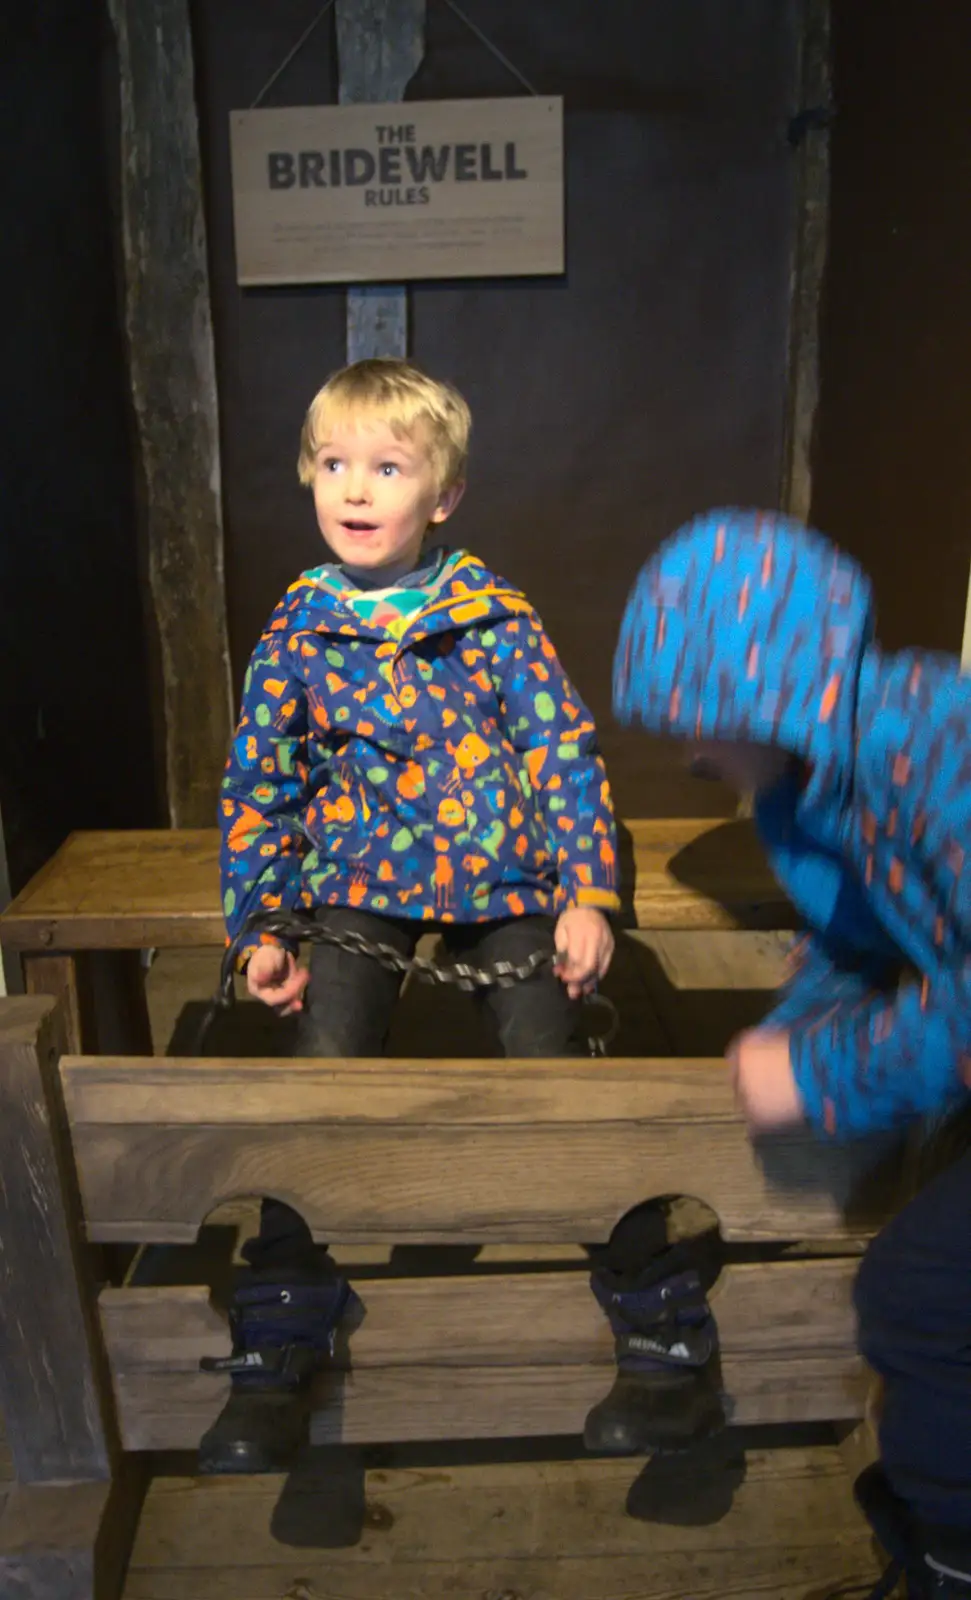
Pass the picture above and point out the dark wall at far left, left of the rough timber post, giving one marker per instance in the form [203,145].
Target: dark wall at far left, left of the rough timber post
[76,746]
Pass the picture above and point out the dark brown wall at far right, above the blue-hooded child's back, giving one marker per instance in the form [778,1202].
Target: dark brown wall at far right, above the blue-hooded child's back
[893,470]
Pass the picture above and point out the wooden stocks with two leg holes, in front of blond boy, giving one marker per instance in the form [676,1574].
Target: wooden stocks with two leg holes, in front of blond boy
[370,1153]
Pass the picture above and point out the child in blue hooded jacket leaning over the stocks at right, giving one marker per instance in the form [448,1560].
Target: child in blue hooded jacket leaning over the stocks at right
[753,638]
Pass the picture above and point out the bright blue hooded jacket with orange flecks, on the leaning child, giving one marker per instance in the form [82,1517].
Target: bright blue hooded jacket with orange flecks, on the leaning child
[749,626]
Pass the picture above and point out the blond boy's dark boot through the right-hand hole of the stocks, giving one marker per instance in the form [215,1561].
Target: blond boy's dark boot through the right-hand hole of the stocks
[666,1394]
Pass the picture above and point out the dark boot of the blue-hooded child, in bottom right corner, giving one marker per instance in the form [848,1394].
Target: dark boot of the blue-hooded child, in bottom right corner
[935,1561]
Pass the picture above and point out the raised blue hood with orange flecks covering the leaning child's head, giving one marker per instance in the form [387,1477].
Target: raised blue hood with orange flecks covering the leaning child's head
[749,626]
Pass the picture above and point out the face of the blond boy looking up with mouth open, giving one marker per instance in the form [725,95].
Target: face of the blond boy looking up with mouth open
[377,495]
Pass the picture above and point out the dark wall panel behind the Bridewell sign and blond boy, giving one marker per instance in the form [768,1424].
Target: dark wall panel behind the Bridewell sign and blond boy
[609,406]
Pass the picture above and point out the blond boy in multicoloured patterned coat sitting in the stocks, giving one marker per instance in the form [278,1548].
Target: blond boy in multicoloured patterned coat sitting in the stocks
[410,758]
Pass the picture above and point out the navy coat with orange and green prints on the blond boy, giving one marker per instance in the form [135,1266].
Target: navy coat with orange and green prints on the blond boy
[415,751]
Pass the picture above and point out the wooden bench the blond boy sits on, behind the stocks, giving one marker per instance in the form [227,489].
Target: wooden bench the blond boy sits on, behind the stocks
[86,916]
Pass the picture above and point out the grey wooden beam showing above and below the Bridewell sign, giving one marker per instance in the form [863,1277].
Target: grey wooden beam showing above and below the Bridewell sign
[380,49]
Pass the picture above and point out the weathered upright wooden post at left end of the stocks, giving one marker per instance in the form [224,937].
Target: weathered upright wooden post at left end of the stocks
[52,1383]
